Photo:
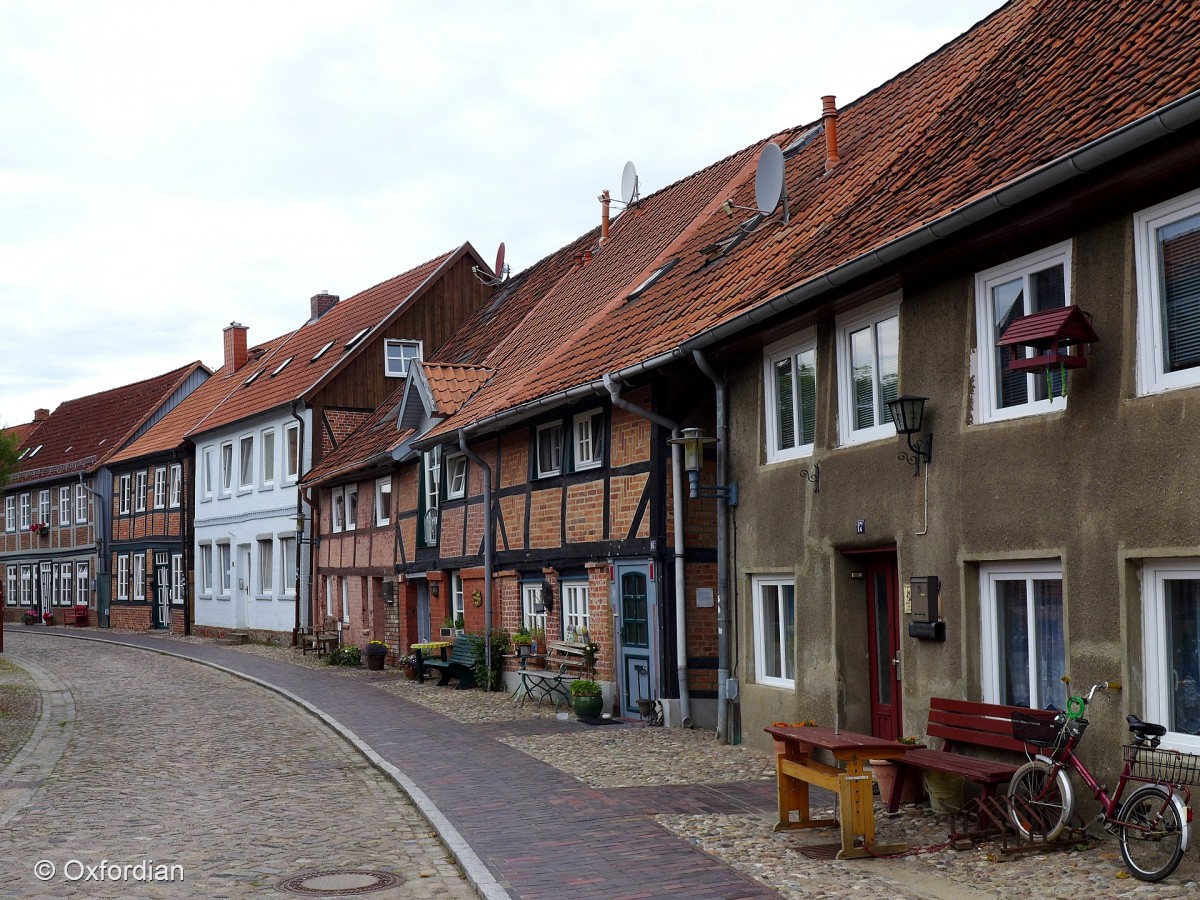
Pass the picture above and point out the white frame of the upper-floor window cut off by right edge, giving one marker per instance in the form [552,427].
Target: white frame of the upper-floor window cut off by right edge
[1153,377]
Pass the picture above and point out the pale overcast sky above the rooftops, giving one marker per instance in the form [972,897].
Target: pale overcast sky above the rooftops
[169,169]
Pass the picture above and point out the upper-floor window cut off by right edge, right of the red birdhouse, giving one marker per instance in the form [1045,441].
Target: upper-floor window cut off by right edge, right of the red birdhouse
[1167,253]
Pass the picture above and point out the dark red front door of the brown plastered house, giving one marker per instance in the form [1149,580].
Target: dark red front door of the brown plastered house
[884,645]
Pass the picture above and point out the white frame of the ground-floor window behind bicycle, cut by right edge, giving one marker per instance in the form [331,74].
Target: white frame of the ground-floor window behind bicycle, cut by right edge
[1157,667]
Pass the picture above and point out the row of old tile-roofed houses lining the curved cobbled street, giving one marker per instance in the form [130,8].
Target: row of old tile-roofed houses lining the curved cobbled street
[1005,237]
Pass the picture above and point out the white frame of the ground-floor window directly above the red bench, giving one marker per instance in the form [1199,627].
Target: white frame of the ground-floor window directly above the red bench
[991,574]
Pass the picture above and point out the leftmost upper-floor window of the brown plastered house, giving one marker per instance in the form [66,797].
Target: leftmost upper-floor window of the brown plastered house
[790,393]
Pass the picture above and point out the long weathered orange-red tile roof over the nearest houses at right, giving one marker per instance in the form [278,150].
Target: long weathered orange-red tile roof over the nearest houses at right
[1034,82]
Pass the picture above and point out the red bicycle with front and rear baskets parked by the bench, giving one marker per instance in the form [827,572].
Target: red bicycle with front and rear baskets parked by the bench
[1153,825]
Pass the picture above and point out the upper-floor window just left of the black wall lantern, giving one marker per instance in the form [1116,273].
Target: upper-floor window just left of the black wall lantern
[868,371]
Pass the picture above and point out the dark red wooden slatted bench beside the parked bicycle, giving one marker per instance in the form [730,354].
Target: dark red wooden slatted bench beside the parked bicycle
[967,724]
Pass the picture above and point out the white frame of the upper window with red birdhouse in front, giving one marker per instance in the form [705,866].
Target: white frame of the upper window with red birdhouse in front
[987,405]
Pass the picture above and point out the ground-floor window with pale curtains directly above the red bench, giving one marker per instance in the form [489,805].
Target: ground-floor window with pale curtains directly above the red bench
[1023,647]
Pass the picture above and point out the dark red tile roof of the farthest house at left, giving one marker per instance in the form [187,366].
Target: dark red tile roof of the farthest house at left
[85,434]
